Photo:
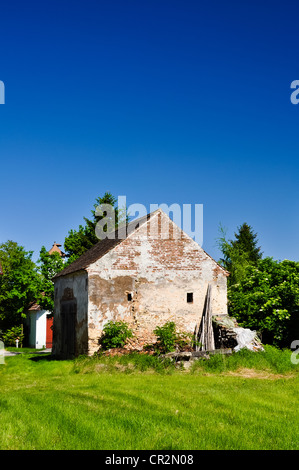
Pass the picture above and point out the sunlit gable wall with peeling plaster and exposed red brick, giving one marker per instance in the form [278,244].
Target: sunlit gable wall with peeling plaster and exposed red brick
[158,265]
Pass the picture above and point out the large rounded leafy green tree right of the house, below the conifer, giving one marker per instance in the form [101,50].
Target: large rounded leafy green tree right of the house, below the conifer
[267,299]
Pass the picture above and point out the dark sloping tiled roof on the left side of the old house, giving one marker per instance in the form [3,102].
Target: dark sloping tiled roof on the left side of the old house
[102,247]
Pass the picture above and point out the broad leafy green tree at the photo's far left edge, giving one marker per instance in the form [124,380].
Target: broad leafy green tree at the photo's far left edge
[20,284]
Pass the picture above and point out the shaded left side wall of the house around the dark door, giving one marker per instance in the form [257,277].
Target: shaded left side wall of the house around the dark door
[75,286]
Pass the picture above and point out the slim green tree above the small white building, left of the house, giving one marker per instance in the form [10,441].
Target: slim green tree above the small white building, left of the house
[49,265]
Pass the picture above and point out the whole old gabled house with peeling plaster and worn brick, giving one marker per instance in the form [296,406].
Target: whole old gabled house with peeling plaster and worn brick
[157,273]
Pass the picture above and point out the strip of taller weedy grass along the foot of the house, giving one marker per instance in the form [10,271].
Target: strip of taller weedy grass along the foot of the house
[272,359]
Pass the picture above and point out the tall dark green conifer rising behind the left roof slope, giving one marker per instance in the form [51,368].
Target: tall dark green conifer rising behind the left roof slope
[79,241]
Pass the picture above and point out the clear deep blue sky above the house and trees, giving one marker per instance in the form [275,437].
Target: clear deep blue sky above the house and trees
[163,101]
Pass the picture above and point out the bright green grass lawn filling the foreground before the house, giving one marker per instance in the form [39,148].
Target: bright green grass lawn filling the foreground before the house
[246,401]
